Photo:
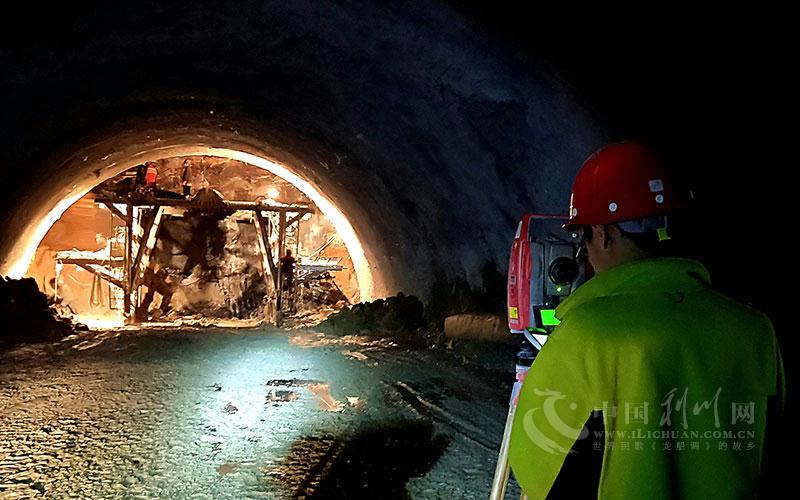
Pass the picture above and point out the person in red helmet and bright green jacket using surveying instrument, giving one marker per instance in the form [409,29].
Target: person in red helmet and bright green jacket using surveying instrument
[680,374]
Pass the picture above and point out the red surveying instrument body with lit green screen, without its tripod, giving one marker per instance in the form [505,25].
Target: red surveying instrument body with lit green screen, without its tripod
[542,271]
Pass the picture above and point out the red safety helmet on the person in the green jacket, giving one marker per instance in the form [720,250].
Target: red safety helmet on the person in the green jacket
[622,182]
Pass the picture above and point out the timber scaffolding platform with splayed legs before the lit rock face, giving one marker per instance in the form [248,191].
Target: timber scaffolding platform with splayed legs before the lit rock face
[125,261]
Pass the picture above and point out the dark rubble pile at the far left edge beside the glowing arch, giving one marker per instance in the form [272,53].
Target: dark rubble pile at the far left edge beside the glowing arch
[25,315]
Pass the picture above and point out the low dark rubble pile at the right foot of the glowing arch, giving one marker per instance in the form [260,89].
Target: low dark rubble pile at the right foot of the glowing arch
[398,315]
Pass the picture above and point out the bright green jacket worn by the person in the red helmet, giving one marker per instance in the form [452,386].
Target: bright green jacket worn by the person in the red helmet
[681,373]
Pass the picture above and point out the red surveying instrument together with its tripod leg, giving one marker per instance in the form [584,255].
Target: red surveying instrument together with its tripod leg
[542,271]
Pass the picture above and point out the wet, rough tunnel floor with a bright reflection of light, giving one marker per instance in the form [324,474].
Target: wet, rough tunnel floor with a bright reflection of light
[256,414]
